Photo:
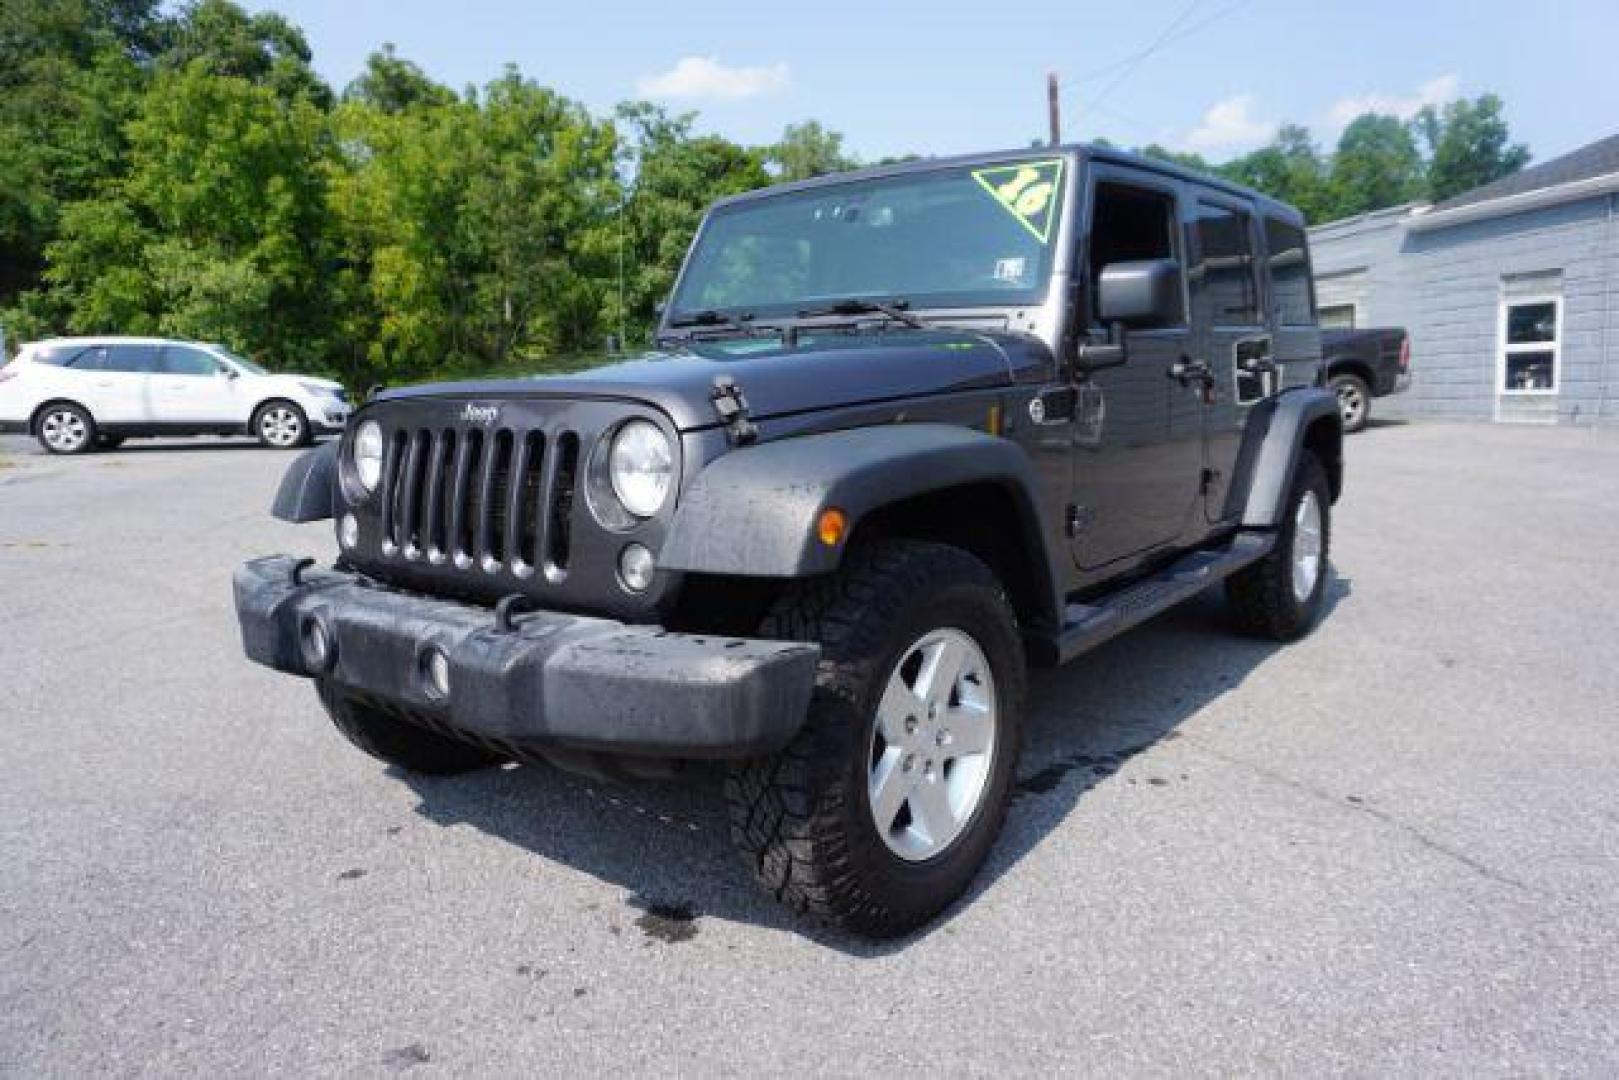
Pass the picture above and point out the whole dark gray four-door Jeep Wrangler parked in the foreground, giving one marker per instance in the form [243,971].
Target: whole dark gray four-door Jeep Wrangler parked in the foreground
[909,430]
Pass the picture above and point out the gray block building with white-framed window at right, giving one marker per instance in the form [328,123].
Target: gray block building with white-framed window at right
[1511,292]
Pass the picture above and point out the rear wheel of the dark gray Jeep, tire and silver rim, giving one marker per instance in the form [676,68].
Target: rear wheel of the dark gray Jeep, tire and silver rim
[1281,597]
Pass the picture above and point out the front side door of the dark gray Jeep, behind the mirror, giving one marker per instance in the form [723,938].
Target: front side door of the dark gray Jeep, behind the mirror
[1137,467]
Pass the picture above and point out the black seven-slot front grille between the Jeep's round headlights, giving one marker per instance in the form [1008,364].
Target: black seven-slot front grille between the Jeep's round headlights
[490,500]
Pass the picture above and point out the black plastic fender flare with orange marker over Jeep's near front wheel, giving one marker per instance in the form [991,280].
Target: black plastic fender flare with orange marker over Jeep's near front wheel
[754,512]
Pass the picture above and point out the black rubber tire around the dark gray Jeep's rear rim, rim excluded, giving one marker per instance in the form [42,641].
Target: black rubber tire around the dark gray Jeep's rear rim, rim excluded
[1262,597]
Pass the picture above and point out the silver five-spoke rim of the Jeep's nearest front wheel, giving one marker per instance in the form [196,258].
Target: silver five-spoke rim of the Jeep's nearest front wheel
[933,746]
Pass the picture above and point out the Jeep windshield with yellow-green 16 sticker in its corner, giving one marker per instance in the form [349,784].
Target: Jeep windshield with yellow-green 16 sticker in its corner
[945,239]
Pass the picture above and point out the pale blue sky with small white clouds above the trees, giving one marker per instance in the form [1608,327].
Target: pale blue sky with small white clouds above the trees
[951,77]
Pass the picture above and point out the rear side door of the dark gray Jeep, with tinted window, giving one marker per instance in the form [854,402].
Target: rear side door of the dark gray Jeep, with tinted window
[1234,336]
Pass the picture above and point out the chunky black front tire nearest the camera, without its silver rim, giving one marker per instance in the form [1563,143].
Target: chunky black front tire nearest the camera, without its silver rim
[802,819]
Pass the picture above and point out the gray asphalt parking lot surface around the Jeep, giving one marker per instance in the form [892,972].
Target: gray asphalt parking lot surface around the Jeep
[1393,846]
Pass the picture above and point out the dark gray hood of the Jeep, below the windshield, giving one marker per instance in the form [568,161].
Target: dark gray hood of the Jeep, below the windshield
[826,372]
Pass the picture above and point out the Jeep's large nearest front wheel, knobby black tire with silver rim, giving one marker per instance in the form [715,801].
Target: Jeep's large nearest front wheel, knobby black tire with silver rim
[883,809]
